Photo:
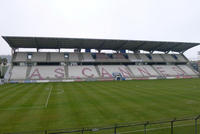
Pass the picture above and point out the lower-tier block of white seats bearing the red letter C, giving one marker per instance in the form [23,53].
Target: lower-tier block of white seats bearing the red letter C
[82,72]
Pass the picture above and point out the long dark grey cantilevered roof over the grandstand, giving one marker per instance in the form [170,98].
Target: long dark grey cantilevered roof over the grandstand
[83,43]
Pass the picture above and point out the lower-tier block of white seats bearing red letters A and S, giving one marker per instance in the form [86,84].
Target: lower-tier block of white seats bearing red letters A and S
[47,72]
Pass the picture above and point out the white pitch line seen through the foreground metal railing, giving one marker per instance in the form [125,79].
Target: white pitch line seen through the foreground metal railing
[153,129]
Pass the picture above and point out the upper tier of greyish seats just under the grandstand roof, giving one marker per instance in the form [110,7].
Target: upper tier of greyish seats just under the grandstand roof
[91,57]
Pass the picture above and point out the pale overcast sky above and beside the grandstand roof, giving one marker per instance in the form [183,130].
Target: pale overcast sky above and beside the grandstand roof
[161,20]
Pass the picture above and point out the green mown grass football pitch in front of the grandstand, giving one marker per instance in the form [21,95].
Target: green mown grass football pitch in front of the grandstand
[27,107]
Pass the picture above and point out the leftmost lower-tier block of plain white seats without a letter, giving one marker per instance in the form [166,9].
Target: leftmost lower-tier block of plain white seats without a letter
[18,73]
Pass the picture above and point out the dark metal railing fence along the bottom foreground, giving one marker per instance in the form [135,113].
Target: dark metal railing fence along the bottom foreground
[189,125]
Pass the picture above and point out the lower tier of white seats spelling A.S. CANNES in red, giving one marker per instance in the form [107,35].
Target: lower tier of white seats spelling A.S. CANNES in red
[100,71]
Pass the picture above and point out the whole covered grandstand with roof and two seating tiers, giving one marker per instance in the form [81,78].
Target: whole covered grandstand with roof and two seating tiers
[126,63]
